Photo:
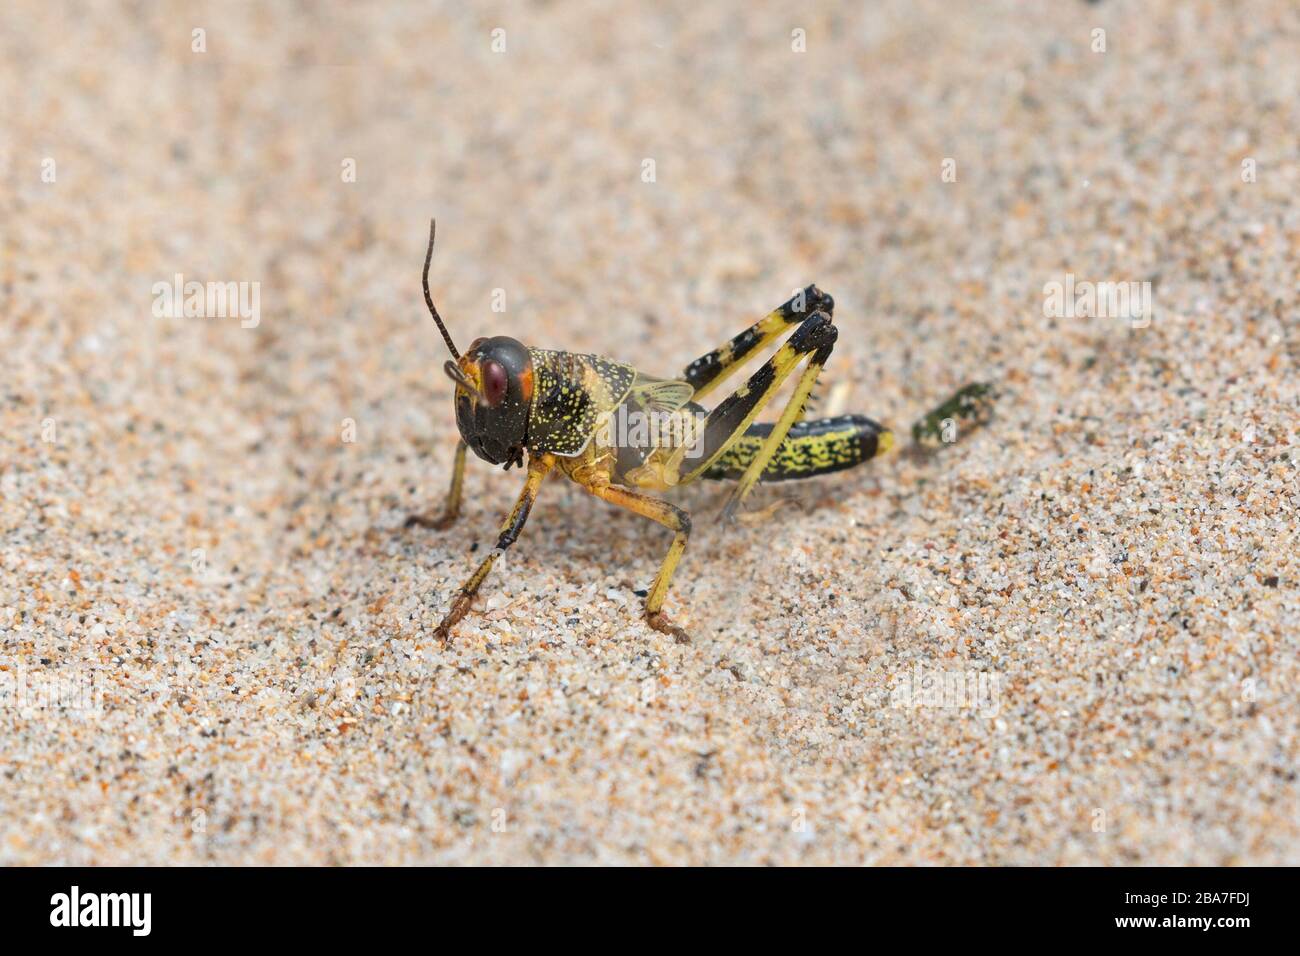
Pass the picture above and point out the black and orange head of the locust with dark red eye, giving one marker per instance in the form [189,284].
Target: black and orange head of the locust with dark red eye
[495,392]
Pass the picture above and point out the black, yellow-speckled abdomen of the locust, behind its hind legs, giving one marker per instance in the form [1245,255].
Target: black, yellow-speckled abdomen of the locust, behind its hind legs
[811,448]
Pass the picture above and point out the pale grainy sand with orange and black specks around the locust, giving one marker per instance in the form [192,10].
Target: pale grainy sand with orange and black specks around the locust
[1068,638]
